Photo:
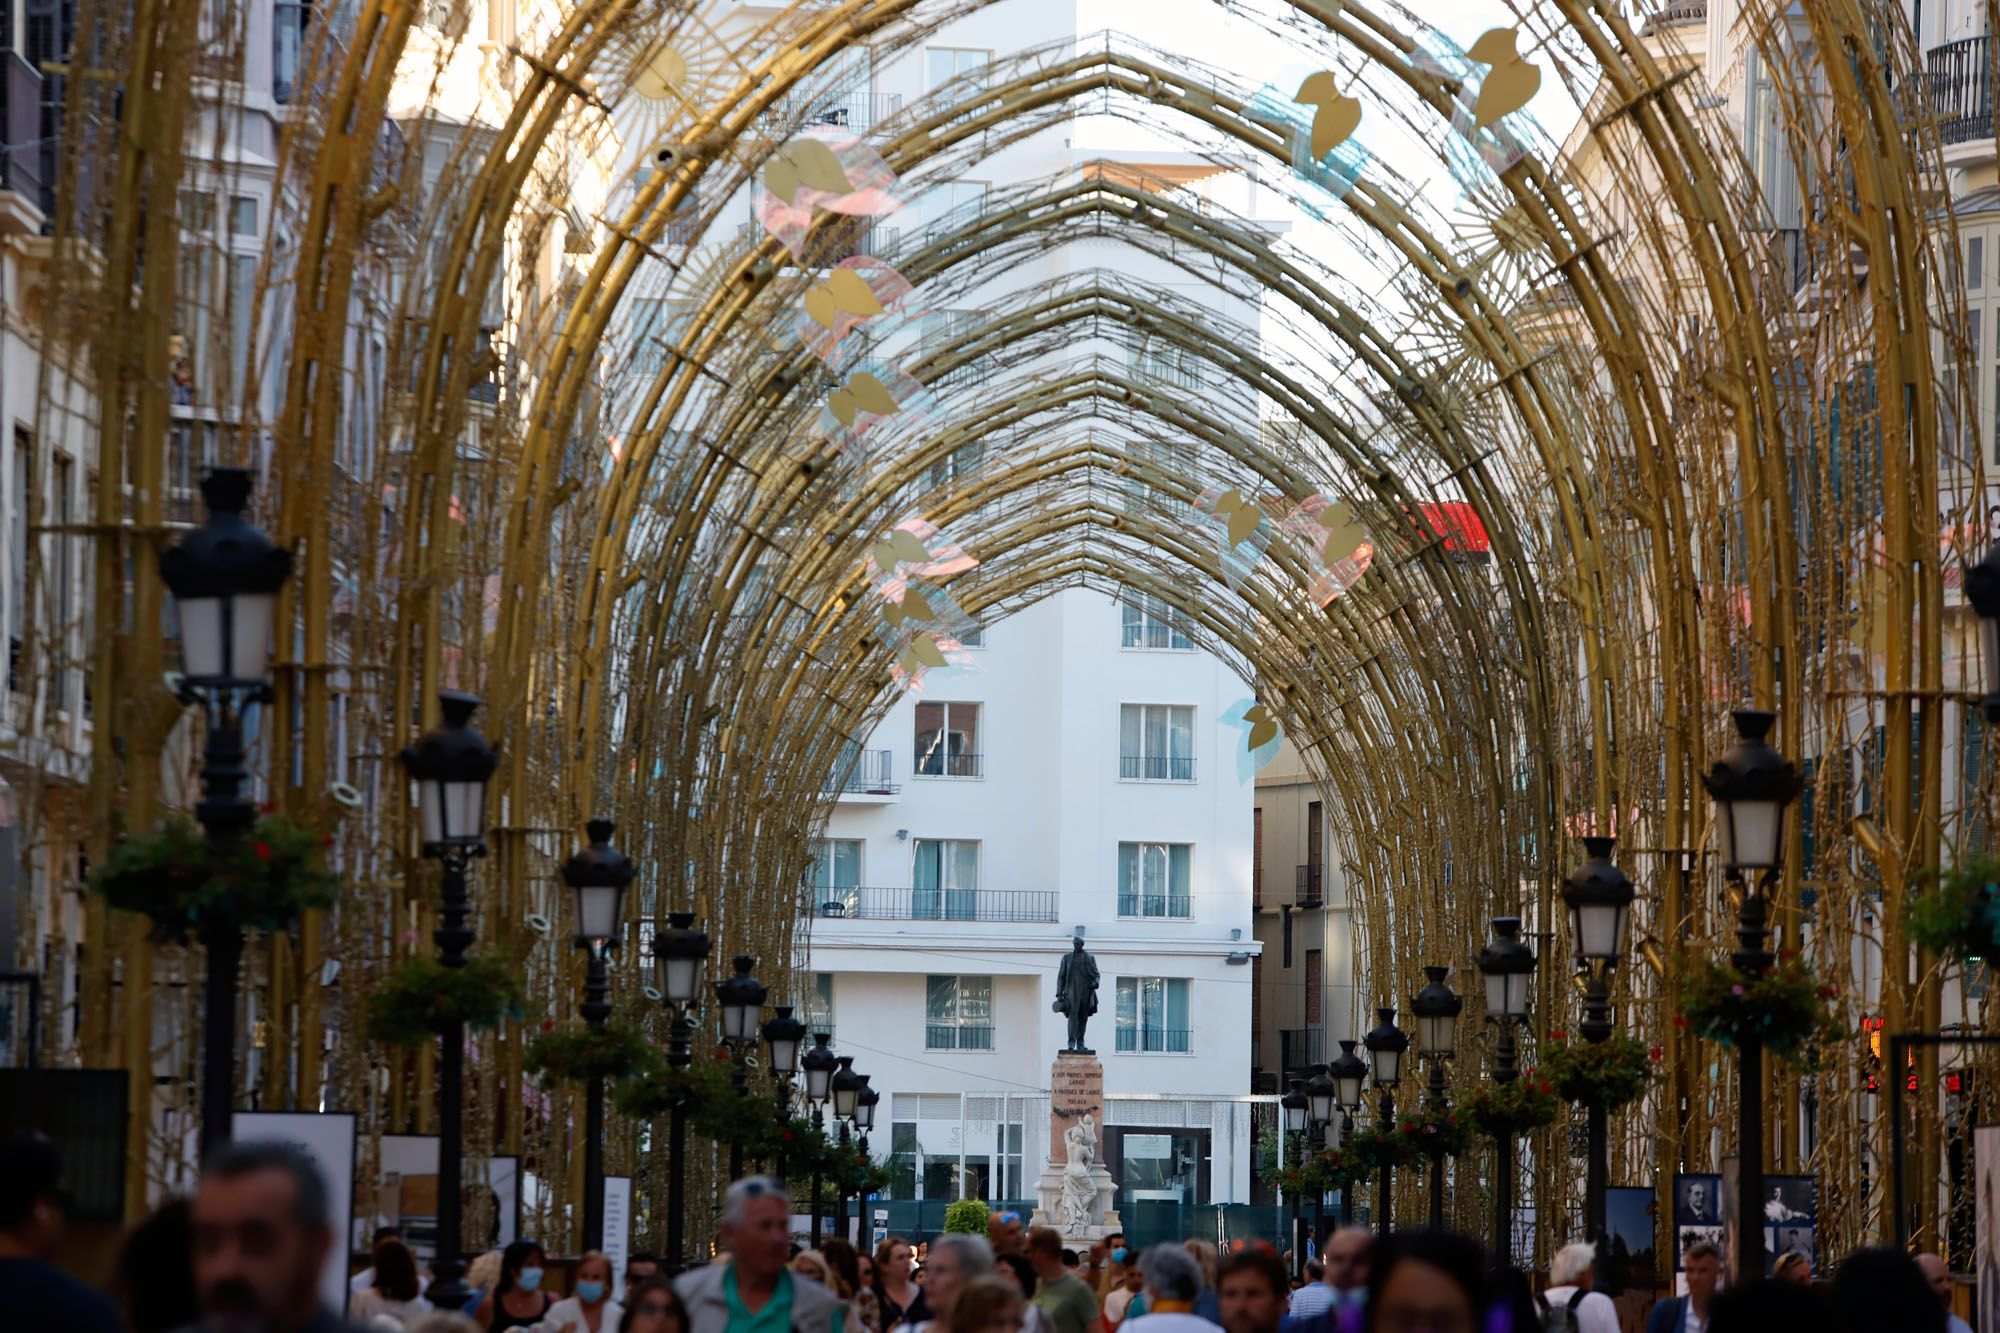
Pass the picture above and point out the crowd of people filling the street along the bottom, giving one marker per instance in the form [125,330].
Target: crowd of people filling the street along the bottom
[249,1250]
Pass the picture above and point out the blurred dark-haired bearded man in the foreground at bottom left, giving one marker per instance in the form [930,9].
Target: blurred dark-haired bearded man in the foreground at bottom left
[261,1240]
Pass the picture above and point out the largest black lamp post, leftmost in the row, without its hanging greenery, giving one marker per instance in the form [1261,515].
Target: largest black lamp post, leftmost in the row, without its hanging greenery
[225,577]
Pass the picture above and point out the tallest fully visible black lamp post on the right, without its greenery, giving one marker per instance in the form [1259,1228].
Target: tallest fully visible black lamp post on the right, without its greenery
[1751,786]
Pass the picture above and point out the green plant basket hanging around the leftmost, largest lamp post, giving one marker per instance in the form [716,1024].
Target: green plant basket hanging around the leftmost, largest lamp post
[187,884]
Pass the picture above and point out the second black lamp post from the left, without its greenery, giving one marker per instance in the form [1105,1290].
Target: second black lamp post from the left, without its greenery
[451,768]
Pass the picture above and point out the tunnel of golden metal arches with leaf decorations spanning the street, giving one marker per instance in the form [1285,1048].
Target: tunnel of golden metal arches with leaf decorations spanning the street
[1703,487]
